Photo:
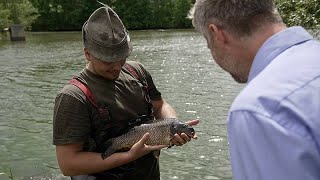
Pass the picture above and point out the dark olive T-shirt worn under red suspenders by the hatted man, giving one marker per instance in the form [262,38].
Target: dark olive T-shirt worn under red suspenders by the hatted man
[77,120]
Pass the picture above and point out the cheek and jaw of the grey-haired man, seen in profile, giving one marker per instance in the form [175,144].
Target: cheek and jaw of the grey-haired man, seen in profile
[223,54]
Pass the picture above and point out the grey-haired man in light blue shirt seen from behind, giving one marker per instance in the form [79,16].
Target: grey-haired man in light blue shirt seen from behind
[274,123]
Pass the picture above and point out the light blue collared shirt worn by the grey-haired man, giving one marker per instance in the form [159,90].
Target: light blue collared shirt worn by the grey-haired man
[274,123]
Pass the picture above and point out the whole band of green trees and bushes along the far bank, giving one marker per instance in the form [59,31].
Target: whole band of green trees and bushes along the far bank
[69,15]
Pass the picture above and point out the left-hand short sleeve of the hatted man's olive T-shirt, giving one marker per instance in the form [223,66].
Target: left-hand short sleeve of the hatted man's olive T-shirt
[71,120]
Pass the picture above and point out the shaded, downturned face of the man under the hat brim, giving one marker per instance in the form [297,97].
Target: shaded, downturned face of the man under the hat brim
[108,70]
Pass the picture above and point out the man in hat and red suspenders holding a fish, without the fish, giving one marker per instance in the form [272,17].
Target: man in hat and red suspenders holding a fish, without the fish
[105,100]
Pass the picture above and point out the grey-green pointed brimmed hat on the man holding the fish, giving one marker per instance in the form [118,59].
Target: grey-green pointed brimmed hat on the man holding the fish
[105,36]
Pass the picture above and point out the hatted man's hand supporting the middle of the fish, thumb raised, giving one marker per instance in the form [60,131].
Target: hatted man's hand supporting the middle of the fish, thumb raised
[140,148]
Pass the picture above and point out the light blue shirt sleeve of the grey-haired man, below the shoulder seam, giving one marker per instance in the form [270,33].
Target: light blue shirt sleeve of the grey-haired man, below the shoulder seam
[263,148]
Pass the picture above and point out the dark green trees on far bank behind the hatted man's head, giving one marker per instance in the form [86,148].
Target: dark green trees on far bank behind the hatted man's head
[64,15]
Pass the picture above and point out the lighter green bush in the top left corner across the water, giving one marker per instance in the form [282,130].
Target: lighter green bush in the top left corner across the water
[17,12]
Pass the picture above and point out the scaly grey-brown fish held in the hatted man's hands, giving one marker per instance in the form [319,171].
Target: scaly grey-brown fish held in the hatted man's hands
[161,132]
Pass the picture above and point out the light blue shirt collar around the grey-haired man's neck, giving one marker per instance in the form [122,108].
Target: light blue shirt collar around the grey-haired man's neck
[275,45]
